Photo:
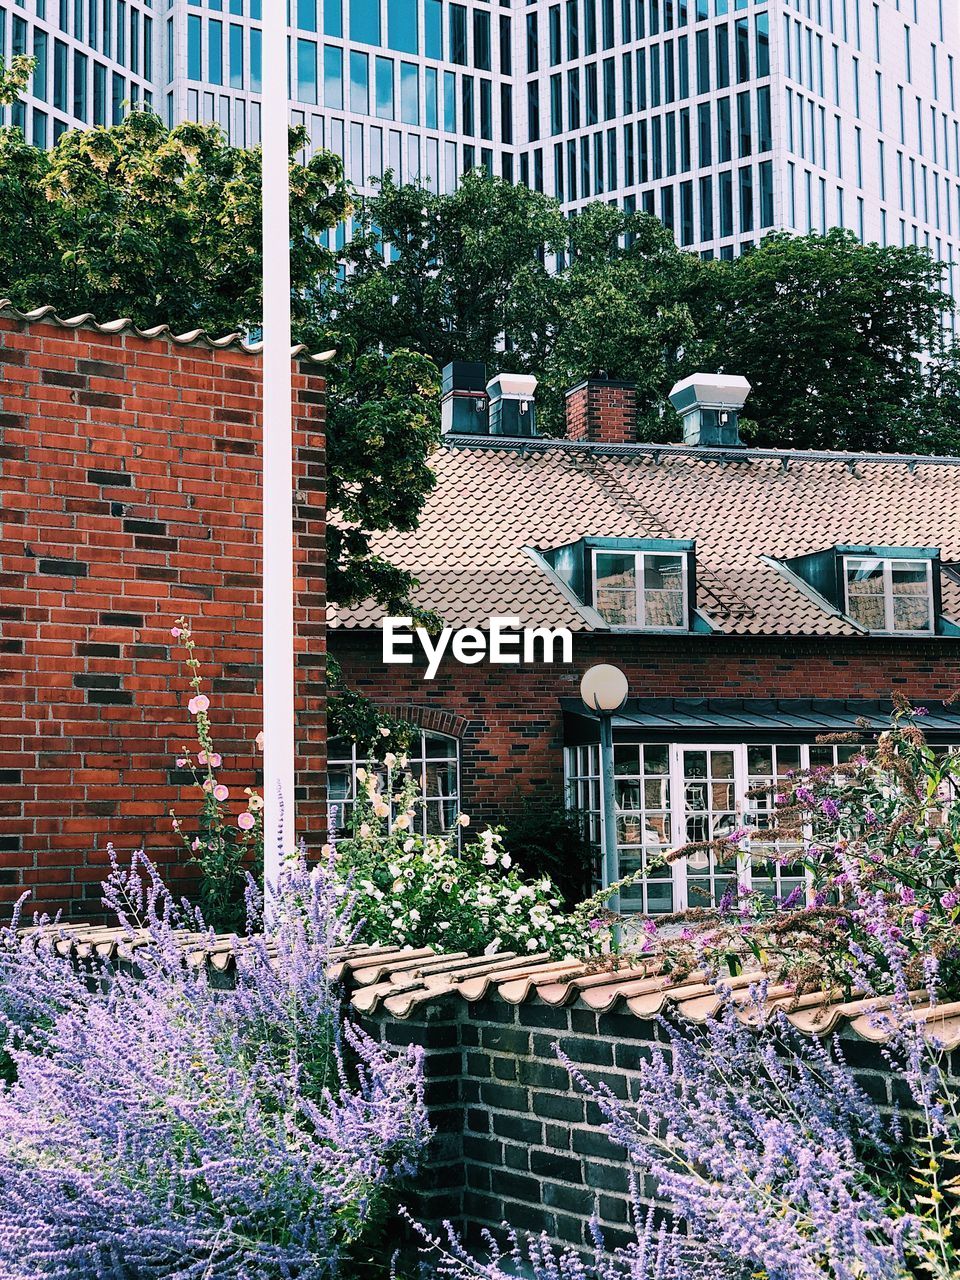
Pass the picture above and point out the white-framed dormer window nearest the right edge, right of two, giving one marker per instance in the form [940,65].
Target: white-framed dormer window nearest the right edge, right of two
[889,595]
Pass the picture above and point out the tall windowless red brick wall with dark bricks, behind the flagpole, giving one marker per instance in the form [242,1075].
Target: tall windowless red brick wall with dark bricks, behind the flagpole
[130,473]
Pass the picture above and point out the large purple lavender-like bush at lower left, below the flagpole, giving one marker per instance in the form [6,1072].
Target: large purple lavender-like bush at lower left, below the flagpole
[161,1128]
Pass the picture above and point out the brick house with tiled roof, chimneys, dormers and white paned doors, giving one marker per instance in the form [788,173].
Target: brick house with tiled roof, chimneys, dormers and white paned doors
[755,598]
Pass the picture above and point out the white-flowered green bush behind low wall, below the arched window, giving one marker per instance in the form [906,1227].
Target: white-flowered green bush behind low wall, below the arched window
[415,890]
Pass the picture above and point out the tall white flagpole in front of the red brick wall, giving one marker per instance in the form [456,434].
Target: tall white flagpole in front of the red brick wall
[280,833]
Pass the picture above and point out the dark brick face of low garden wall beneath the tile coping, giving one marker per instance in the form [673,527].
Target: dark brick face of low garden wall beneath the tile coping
[516,1141]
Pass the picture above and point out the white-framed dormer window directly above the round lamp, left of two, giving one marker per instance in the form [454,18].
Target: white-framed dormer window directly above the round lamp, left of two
[642,589]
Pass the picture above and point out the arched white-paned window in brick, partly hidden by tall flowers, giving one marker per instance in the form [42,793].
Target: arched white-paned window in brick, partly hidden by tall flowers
[433,761]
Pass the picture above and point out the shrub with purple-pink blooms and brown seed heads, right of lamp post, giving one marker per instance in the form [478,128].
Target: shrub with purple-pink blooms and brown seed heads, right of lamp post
[883,828]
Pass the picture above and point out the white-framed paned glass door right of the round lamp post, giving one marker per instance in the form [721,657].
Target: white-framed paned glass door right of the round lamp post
[710,783]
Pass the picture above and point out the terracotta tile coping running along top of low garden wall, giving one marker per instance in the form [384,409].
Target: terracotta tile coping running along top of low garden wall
[403,981]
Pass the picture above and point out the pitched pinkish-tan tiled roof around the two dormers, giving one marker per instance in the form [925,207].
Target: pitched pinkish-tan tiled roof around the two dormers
[747,510]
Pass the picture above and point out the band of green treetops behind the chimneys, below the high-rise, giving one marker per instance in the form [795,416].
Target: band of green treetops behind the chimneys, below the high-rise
[833,335]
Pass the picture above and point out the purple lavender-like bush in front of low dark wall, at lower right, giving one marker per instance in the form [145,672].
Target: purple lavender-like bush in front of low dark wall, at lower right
[761,1144]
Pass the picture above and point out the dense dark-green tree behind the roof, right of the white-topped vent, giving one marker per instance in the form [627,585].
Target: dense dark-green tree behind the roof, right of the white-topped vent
[831,335]
